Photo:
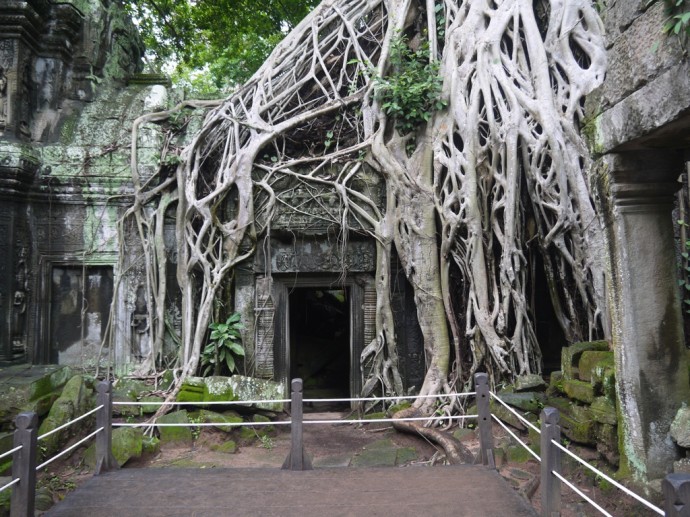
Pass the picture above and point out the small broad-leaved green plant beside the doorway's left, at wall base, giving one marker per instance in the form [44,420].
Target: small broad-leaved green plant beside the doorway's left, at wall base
[224,346]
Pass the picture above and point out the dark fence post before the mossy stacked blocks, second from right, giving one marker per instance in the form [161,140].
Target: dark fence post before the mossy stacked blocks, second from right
[550,462]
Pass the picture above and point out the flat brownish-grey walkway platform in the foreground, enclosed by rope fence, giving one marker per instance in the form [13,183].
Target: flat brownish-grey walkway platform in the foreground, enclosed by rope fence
[462,490]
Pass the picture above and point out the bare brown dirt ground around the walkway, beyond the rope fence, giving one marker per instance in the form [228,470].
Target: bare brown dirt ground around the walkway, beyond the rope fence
[331,445]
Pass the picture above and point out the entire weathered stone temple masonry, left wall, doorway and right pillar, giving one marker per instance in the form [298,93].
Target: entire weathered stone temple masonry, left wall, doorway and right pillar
[71,88]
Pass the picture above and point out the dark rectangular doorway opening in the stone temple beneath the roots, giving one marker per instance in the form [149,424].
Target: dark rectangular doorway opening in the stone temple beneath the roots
[320,343]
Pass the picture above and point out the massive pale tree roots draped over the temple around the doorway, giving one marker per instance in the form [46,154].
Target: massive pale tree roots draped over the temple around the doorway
[495,174]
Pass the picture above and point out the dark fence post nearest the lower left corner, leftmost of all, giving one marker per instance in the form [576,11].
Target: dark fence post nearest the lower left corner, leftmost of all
[24,465]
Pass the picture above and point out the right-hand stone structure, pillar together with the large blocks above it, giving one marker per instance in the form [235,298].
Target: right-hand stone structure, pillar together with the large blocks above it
[638,127]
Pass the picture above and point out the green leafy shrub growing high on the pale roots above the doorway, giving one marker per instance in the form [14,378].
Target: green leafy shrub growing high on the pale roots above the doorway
[411,91]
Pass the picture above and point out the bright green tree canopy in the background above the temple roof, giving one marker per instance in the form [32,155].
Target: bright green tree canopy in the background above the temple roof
[211,46]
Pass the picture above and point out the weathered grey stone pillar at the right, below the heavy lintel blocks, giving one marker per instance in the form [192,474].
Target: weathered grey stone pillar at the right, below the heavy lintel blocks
[651,363]
